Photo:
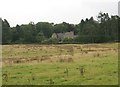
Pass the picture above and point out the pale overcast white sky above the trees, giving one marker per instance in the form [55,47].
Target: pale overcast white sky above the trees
[56,11]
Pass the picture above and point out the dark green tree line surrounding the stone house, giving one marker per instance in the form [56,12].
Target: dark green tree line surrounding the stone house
[104,29]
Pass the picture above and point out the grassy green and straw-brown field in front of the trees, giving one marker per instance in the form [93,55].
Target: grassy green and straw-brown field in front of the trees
[63,64]
